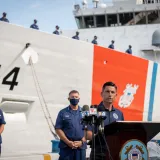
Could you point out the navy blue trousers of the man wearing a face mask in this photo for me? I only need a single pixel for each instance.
(72, 154)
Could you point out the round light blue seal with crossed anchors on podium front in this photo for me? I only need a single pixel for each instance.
(134, 150)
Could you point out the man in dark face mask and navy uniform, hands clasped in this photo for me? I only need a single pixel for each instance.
(70, 130)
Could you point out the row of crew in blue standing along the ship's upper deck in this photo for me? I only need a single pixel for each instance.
(76, 36)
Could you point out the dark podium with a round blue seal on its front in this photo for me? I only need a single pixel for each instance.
(122, 137)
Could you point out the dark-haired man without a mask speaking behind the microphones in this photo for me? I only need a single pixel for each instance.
(108, 94)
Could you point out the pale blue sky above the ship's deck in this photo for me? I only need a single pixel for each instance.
(49, 13)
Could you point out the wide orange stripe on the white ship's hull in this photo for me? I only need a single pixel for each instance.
(122, 69)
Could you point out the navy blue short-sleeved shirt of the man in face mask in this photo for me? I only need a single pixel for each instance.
(69, 121)
